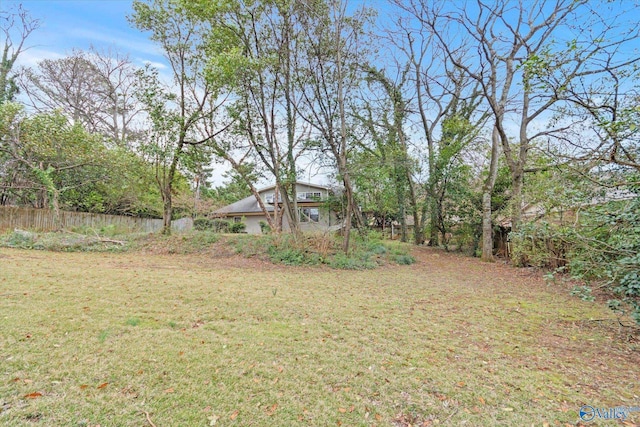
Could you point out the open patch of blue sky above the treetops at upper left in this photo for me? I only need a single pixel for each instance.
(69, 24)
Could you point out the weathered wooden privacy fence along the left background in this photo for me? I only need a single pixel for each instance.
(42, 219)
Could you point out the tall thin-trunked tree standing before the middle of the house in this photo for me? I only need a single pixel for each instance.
(264, 113)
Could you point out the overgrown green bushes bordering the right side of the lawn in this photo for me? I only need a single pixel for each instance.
(602, 248)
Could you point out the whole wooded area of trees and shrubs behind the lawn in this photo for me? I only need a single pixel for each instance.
(457, 115)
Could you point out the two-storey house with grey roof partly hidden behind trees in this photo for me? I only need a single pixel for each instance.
(312, 212)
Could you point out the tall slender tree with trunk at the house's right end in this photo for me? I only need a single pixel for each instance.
(329, 68)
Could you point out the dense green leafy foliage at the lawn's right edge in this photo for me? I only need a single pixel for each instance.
(596, 240)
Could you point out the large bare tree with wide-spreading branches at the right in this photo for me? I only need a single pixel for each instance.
(516, 44)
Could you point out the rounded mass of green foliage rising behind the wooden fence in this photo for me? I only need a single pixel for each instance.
(49, 162)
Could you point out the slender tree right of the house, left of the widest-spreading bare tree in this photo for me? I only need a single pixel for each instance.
(440, 95)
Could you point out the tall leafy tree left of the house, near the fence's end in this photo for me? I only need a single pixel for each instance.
(176, 110)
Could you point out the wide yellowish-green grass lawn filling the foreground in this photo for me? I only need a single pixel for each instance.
(140, 339)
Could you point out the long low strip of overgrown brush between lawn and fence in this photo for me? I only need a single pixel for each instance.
(367, 251)
